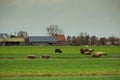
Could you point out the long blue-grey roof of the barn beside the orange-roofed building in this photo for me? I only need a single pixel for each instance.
(49, 39)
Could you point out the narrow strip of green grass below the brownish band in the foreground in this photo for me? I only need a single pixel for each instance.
(113, 77)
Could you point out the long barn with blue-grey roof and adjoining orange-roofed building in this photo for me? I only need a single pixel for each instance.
(47, 40)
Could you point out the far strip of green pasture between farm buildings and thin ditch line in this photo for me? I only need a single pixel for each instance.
(11, 52)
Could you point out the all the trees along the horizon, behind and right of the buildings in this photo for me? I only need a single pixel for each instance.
(82, 39)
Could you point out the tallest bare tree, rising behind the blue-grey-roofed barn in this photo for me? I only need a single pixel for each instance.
(54, 30)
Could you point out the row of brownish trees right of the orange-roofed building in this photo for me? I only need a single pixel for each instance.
(84, 39)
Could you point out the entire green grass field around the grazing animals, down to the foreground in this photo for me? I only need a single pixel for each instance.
(71, 64)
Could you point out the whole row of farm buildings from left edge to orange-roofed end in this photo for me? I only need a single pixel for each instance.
(5, 39)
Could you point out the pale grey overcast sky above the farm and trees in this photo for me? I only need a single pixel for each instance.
(96, 17)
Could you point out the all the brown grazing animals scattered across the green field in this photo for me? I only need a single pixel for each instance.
(83, 51)
